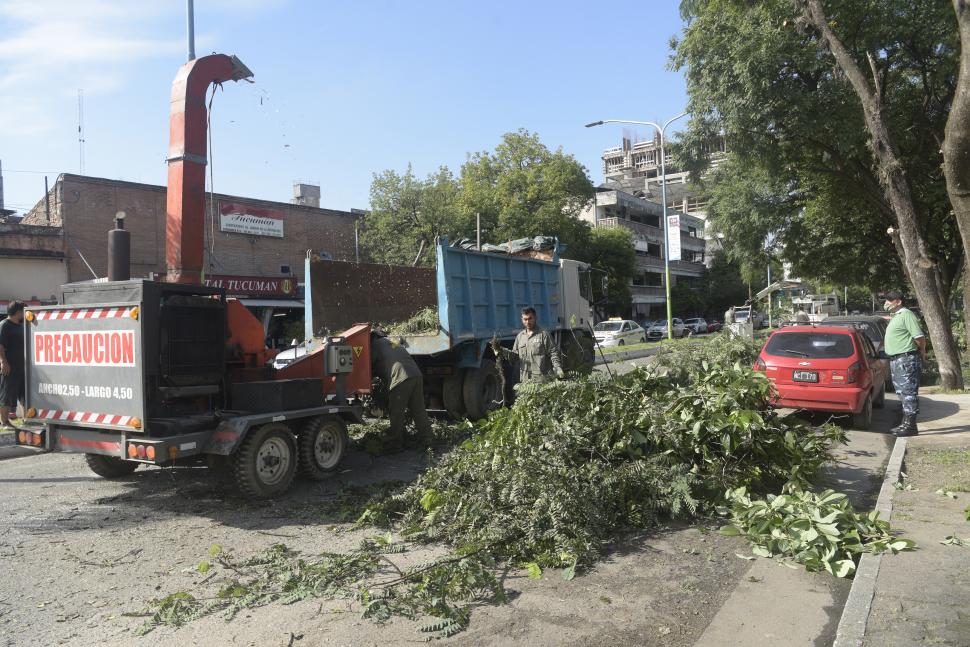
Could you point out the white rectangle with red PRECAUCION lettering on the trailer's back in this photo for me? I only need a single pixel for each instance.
(113, 348)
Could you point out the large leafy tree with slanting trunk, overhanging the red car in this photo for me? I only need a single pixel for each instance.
(845, 155)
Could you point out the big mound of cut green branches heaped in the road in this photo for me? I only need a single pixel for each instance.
(549, 481)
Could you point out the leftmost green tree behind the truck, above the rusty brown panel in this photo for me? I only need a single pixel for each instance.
(407, 214)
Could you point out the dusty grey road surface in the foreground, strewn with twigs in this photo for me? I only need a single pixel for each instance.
(78, 553)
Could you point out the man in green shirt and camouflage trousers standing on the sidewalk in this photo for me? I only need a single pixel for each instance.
(906, 347)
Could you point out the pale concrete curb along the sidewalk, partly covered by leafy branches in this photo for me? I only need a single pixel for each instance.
(855, 614)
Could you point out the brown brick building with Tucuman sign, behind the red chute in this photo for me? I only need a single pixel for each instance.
(85, 207)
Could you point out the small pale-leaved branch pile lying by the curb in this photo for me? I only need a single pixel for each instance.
(819, 531)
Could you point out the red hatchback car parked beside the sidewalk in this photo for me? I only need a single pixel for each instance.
(825, 368)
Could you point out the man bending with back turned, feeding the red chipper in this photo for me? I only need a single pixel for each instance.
(405, 387)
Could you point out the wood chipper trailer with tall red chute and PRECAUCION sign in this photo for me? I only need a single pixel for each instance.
(137, 371)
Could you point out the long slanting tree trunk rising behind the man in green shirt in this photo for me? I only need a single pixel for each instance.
(921, 269)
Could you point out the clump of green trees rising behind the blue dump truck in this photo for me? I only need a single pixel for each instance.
(520, 189)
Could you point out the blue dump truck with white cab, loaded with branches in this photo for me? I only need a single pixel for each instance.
(480, 296)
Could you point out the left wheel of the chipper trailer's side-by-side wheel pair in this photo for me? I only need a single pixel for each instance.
(265, 463)
